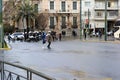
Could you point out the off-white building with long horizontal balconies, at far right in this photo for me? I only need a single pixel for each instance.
(113, 9)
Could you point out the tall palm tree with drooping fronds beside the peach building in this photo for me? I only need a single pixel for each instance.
(26, 13)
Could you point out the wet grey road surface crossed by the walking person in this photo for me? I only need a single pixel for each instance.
(68, 60)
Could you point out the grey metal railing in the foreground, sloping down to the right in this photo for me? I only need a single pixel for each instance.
(22, 73)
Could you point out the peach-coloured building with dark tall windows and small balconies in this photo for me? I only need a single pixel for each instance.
(63, 14)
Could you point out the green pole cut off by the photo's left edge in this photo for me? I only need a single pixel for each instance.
(1, 27)
